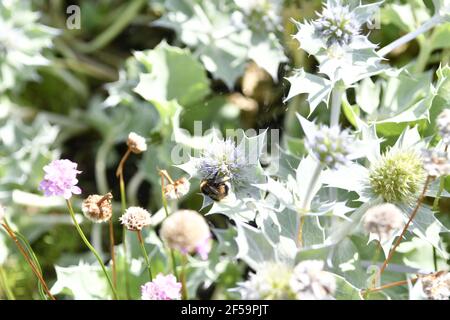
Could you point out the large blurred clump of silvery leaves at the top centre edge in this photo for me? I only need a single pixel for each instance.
(223, 45)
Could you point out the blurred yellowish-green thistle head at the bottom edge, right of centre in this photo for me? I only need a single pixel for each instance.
(270, 282)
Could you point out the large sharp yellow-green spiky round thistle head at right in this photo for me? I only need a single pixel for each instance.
(398, 176)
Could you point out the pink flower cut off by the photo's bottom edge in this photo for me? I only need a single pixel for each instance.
(162, 288)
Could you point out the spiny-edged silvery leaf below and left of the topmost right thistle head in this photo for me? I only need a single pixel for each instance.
(317, 88)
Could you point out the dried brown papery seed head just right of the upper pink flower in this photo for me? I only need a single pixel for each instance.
(98, 208)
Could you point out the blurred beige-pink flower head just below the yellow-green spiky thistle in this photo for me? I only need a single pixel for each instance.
(383, 220)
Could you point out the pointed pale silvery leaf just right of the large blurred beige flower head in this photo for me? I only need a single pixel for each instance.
(254, 247)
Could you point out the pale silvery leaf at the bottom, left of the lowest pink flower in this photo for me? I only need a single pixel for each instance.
(82, 282)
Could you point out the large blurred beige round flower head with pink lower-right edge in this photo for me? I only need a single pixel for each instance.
(187, 231)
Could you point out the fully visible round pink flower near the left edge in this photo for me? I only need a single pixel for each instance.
(60, 179)
